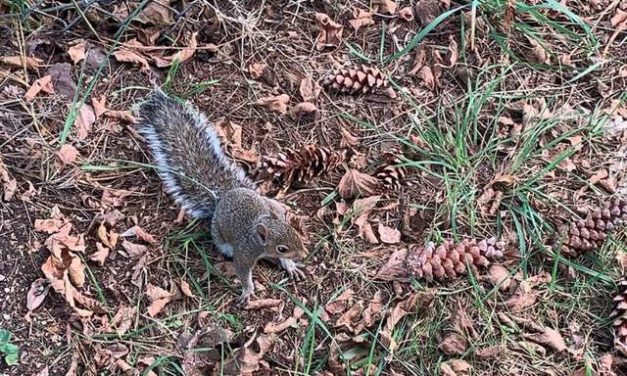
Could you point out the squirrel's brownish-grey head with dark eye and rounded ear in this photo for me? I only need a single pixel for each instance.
(279, 238)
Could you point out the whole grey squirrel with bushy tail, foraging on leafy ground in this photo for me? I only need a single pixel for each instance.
(245, 225)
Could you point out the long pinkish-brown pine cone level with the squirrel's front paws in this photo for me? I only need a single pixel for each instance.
(449, 259)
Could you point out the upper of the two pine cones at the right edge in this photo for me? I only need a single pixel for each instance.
(584, 235)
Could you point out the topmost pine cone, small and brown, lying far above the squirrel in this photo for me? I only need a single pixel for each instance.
(361, 79)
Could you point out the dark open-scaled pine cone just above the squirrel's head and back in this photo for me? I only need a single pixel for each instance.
(298, 166)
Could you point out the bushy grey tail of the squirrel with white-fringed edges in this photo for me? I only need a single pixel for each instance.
(187, 154)
